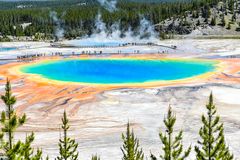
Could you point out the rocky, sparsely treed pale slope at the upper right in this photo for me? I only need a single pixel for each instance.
(216, 20)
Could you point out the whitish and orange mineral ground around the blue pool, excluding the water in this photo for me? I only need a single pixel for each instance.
(97, 121)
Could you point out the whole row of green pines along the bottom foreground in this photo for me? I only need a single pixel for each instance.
(210, 146)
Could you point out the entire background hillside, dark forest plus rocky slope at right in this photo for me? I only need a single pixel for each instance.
(42, 20)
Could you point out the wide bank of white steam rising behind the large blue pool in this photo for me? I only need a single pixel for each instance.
(145, 33)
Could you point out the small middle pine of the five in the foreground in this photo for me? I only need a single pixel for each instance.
(131, 149)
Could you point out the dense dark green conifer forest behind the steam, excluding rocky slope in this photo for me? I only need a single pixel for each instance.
(79, 20)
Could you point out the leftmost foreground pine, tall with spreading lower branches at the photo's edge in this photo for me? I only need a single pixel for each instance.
(10, 122)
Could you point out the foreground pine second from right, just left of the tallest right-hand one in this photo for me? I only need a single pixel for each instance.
(172, 146)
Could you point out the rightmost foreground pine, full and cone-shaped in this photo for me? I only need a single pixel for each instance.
(212, 145)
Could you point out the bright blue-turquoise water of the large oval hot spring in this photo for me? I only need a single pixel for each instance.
(106, 71)
